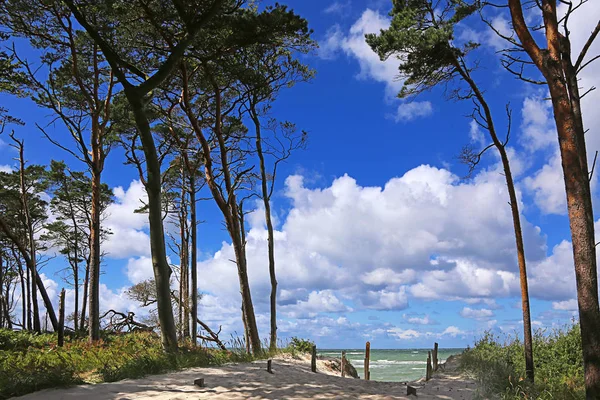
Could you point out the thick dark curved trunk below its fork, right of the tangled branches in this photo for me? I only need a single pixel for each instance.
(162, 270)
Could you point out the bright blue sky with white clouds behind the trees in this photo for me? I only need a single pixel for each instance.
(379, 235)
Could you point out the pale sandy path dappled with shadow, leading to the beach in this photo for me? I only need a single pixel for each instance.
(291, 379)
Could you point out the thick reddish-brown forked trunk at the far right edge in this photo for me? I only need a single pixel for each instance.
(555, 64)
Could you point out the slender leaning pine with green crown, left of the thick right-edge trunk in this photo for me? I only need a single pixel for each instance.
(421, 37)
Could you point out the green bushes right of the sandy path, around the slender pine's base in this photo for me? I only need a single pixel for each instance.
(500, 366)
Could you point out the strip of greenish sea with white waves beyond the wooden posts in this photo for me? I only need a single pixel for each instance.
(394, 365)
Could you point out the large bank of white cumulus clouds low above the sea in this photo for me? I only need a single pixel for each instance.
(424, 235)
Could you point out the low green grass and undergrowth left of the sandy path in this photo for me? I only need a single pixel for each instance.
(30, 362)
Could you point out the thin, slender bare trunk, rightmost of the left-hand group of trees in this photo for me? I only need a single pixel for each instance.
(270, 237)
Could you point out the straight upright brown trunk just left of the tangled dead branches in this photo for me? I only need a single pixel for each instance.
(94, 265)
